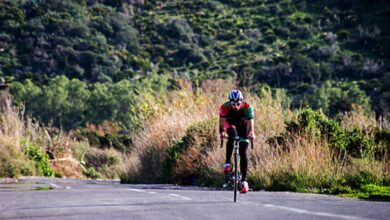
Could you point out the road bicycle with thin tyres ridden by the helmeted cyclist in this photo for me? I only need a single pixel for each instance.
(233, 178)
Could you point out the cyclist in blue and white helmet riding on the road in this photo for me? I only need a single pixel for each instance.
(236, 118)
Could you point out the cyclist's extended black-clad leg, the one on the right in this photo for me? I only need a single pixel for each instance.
(243, 133)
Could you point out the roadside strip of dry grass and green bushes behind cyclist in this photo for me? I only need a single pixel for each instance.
(301, 151)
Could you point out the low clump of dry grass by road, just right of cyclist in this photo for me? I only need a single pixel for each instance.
(305, 165)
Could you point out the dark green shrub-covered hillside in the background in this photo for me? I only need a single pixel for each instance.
(327, 55)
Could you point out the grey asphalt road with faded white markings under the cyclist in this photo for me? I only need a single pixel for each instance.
(44, 198)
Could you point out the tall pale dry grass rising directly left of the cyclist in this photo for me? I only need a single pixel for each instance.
(182, 108)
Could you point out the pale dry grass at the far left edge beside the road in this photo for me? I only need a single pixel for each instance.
(14, 129)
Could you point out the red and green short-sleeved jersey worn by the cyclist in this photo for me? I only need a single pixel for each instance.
(234, 117)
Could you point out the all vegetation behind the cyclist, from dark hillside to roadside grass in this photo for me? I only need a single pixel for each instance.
(131, 89)
